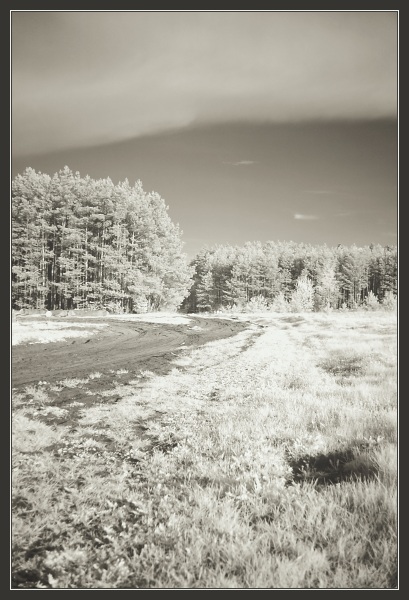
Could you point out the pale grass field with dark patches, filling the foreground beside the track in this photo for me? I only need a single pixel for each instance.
(263, 460)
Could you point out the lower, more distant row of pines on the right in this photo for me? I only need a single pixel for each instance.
(292, 276)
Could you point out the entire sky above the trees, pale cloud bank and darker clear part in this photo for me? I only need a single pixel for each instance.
(256, 125)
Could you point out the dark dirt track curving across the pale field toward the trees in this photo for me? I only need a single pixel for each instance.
(127, 345)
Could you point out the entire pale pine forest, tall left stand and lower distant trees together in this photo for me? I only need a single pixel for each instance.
(84, 243)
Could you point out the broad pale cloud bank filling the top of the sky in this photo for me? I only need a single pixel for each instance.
(87, 78)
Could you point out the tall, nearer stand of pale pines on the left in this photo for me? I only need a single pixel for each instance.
(84, 243)
